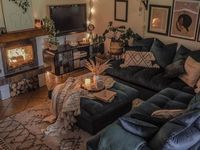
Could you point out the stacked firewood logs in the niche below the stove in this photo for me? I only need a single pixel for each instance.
(23, 86)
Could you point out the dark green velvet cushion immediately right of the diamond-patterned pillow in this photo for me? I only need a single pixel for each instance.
(164, 54)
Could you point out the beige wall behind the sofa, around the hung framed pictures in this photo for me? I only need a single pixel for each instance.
(136, 20)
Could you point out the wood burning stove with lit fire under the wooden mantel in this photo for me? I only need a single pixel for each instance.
(19, 56)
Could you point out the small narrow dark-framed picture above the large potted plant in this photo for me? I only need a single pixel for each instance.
(121, 10)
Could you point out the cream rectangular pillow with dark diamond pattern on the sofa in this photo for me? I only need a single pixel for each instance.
(142, 59)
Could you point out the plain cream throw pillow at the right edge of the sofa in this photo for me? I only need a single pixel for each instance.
(192, 68)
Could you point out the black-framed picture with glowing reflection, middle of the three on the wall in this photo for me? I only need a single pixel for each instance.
(159, 17)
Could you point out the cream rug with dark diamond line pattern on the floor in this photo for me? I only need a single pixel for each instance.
(24, 131)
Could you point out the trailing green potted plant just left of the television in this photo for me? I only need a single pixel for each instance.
(49, 26)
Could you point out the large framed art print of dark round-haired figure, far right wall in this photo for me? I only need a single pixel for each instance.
(185, 19)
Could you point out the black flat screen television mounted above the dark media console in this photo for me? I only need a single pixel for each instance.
(69, 18)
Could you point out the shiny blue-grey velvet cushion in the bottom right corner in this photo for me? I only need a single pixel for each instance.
(182, 132)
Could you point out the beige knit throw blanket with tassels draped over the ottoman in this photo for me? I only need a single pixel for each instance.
(66, 103)
